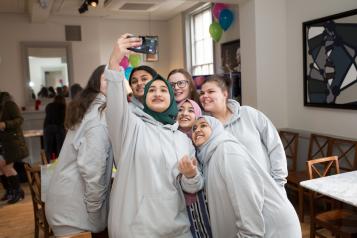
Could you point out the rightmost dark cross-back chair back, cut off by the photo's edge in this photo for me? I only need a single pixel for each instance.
(346, 150)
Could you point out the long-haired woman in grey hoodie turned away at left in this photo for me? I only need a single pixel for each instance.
(77, 197)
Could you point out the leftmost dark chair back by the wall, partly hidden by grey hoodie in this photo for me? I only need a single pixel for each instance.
(290, 142)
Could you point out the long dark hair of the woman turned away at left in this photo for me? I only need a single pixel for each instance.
(79, 106)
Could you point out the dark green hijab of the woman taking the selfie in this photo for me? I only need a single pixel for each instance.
(168, 116)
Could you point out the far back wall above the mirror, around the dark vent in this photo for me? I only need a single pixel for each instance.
(98, 37)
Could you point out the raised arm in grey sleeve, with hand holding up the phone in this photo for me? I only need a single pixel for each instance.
(121, 122)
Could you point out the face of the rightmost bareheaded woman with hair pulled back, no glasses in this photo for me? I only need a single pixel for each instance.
(213, 98)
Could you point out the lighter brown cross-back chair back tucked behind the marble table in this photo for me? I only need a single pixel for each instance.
(323, 166)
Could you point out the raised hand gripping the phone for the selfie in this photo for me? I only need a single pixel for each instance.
(121, 49)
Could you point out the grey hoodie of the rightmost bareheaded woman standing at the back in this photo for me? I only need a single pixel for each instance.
(258, 134)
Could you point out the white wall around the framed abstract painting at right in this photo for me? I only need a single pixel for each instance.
(330, 121)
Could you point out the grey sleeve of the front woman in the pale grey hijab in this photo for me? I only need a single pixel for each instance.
(246, 191)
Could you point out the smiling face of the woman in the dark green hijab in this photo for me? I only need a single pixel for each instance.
(158, 96)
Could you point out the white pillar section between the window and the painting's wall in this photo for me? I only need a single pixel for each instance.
(263, 44)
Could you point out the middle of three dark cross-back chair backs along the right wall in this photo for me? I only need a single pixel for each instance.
(319, 146)
